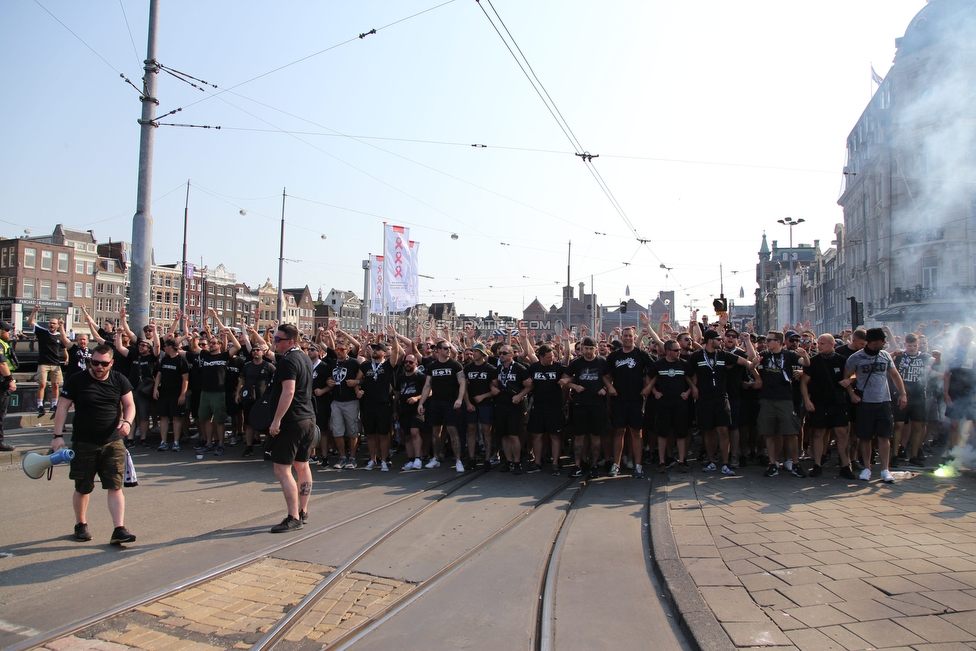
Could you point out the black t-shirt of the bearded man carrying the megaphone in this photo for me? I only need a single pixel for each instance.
(96, 403)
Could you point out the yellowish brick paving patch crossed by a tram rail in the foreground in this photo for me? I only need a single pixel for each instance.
(235, 610)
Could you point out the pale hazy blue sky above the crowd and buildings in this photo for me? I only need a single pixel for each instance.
(711, 121)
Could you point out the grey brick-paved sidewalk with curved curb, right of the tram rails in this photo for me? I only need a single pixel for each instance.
(816, 564)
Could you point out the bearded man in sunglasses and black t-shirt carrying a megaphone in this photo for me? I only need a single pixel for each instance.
(99, 395)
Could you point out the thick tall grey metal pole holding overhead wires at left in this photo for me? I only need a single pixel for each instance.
(140, 274)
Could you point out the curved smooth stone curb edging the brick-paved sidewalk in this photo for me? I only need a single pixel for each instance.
(694, 616)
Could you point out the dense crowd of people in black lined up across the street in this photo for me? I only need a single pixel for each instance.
(661, 396)
